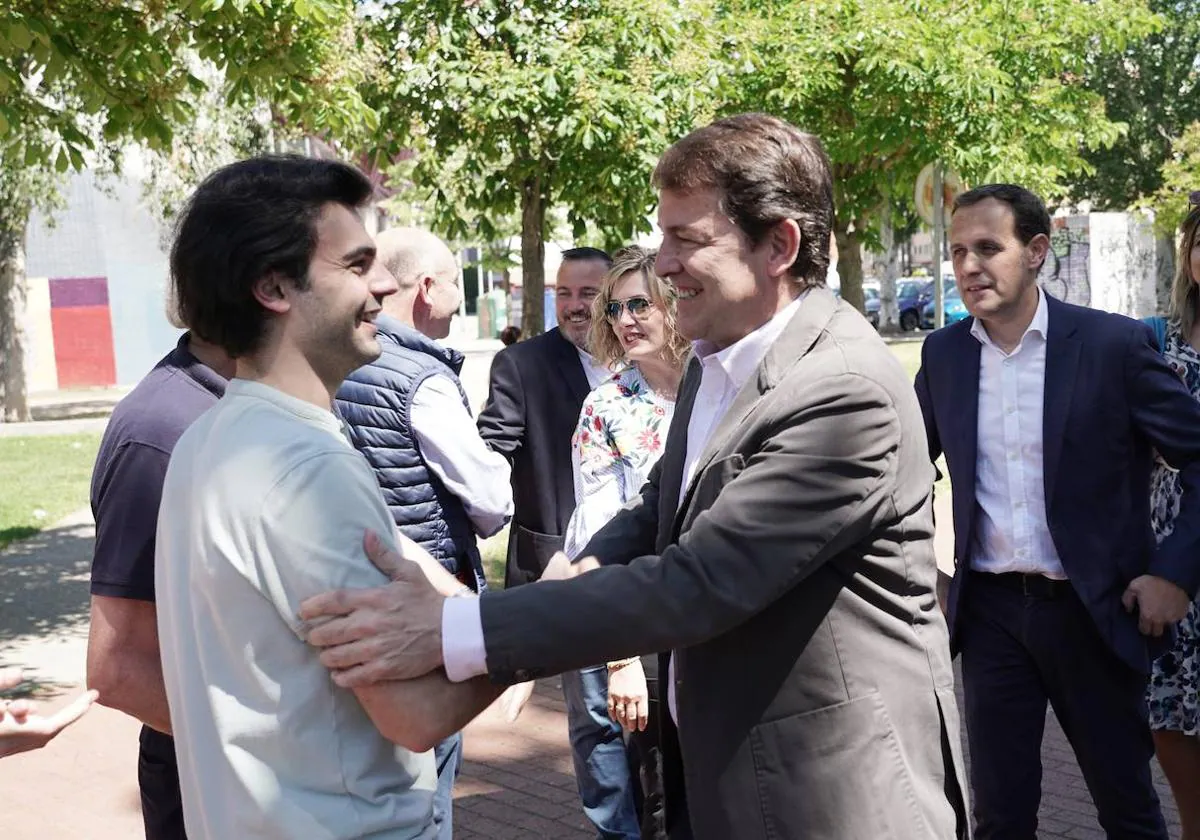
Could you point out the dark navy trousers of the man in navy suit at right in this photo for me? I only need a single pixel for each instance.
(1019, 653)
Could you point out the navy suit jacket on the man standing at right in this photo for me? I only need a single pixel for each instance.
(1109, 399)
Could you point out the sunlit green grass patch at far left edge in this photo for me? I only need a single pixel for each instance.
(43, 479)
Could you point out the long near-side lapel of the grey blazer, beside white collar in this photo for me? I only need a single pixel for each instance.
(794, 343)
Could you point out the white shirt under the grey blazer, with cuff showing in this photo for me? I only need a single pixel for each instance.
(723, 375)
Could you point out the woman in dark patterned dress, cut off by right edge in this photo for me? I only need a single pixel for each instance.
(1174, 693)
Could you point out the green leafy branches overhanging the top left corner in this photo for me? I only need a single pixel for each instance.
(81, 80)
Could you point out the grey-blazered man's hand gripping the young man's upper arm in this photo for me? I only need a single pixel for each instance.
(376, 635)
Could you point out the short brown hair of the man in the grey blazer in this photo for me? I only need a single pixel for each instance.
(766, 171)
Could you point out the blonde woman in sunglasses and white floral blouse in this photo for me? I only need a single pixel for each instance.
(622, 430)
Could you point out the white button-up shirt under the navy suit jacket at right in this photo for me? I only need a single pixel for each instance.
(1012, 532)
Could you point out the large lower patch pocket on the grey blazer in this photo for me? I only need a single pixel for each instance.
(836, 773)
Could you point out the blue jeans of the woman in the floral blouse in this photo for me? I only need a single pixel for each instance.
(602, 763)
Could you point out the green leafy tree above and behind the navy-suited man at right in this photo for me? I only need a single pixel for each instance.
(994, 89)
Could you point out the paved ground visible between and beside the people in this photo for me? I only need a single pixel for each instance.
(517, 783)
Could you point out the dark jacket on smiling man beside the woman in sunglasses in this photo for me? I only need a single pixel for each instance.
(535, 398)
